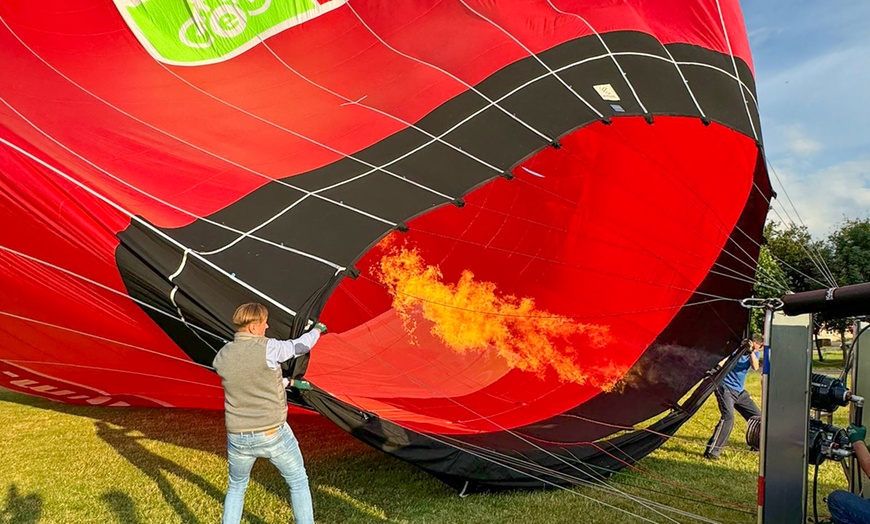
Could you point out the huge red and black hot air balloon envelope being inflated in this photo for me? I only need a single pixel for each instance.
(587, 172)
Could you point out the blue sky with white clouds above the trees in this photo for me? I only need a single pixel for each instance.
(812, 70)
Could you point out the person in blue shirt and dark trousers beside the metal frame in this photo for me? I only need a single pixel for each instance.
(731, 394)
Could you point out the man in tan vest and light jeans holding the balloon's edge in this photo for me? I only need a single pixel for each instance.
(255, 406)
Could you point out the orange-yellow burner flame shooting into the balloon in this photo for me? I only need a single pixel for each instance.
(472, 315)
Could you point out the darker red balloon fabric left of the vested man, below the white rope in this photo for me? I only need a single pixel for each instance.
(61, 326)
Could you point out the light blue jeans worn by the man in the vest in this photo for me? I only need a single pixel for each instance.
(282, 449)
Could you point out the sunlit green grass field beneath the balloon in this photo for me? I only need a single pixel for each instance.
(68, 464)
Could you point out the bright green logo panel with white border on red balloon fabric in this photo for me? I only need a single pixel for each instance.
(192, 32)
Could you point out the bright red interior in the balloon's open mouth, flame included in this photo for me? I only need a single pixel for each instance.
(542, 291)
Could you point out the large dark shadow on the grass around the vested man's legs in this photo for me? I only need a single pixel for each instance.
(349, 480)
